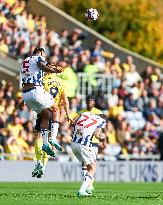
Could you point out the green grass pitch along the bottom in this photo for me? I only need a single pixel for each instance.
(65, 194)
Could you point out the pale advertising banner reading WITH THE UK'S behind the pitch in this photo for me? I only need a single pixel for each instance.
(119, 171)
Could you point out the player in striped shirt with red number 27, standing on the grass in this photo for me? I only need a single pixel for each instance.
(85, 126)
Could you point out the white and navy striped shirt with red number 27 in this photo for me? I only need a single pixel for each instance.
(85, 127)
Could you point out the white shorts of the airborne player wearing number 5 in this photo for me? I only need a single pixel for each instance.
(38, 99)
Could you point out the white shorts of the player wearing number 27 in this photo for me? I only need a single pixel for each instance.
(83, 153)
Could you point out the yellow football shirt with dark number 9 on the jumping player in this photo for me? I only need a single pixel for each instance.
(55, 86)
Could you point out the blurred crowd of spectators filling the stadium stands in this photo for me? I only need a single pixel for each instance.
(134, 108)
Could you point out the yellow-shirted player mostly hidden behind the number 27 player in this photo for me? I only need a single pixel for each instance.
(90, 102)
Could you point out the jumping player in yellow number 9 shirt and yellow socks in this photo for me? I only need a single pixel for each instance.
(55, 86)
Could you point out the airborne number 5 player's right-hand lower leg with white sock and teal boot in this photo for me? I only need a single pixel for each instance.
(54, 129)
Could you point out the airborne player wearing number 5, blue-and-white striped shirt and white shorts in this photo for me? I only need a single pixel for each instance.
(35, 96)
